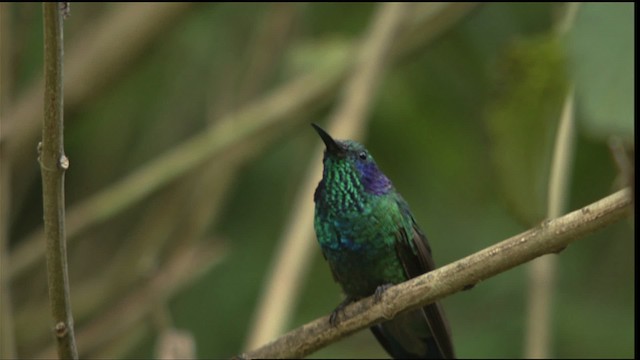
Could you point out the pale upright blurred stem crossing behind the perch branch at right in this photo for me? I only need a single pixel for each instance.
(542, 271)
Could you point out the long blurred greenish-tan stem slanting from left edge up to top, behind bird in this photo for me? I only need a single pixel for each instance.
(297, 95)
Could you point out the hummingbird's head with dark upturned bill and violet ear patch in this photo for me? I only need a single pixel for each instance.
(350, 166)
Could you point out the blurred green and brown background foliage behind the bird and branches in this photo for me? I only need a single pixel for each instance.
(463, 123)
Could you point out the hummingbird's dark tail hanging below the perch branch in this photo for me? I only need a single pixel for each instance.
(416, 334)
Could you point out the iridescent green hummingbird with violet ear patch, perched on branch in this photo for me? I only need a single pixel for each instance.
(371, 241)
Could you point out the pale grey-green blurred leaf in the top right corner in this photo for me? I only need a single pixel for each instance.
(601, 53)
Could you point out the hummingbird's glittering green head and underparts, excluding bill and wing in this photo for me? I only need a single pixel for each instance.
(358, 220)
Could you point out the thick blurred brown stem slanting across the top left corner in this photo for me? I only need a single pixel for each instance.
(95, 59)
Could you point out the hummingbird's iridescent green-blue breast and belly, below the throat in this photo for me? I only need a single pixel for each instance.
(359, 243)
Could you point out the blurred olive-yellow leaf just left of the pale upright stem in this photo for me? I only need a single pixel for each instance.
(521, 122)
